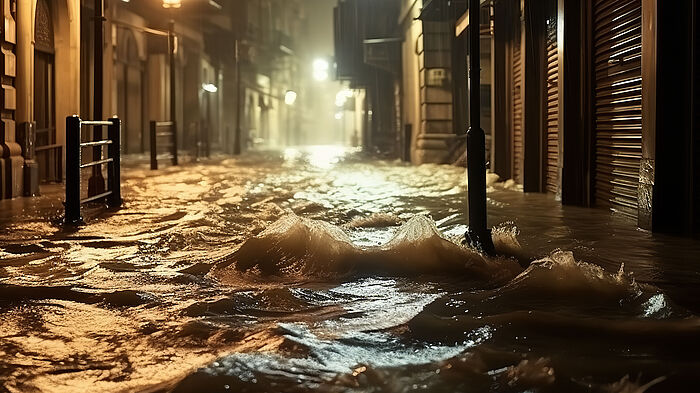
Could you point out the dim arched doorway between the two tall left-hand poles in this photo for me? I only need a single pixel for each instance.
(128, 71)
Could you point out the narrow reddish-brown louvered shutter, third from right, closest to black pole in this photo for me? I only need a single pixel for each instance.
(517, 125)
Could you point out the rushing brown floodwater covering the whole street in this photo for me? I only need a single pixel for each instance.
(318, 270)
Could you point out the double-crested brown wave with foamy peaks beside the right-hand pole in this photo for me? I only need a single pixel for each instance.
(302, 248)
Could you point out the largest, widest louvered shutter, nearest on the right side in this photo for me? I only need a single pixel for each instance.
(618, 103)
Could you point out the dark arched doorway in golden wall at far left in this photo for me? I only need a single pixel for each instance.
(48, 151)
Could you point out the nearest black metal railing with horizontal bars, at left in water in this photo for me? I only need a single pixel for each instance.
(74, 165)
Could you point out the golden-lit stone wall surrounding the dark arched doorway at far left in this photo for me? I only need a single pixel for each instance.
(18, 68)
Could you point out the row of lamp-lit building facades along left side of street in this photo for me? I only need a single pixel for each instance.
(136, 68)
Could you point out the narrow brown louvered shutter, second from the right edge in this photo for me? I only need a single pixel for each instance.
(551, 123)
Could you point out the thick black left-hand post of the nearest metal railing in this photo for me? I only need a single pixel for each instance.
(73, 162)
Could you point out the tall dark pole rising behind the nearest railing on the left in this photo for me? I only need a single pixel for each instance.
(96, 184)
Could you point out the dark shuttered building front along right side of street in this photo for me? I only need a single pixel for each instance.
(601, 110)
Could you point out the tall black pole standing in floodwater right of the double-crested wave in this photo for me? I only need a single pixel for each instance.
(478, 235)
